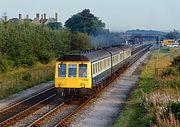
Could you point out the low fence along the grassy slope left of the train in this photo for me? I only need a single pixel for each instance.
(24, 80)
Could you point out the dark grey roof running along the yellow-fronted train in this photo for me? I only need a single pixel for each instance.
(93, 55)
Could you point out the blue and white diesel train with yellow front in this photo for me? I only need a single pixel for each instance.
(81, 72)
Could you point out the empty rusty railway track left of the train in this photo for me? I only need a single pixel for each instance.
(25, 107)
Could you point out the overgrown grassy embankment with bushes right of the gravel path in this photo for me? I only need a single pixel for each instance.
(156, 100)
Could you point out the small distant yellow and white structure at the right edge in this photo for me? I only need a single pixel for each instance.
(170, 43)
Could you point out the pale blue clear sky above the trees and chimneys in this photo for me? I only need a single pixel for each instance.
(118, 15)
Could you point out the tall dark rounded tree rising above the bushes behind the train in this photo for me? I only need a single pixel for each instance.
(85, 22)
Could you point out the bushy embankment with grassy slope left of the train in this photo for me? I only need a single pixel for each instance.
(28, 51)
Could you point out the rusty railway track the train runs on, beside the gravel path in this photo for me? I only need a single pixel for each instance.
(63, 113)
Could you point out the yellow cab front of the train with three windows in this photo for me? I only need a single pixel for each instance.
(72, 78)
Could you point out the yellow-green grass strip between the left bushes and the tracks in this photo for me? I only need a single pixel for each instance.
(23, 78)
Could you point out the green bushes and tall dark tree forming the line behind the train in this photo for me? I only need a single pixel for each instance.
(23, 44)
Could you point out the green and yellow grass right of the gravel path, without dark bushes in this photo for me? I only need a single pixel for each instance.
(152, 95)
